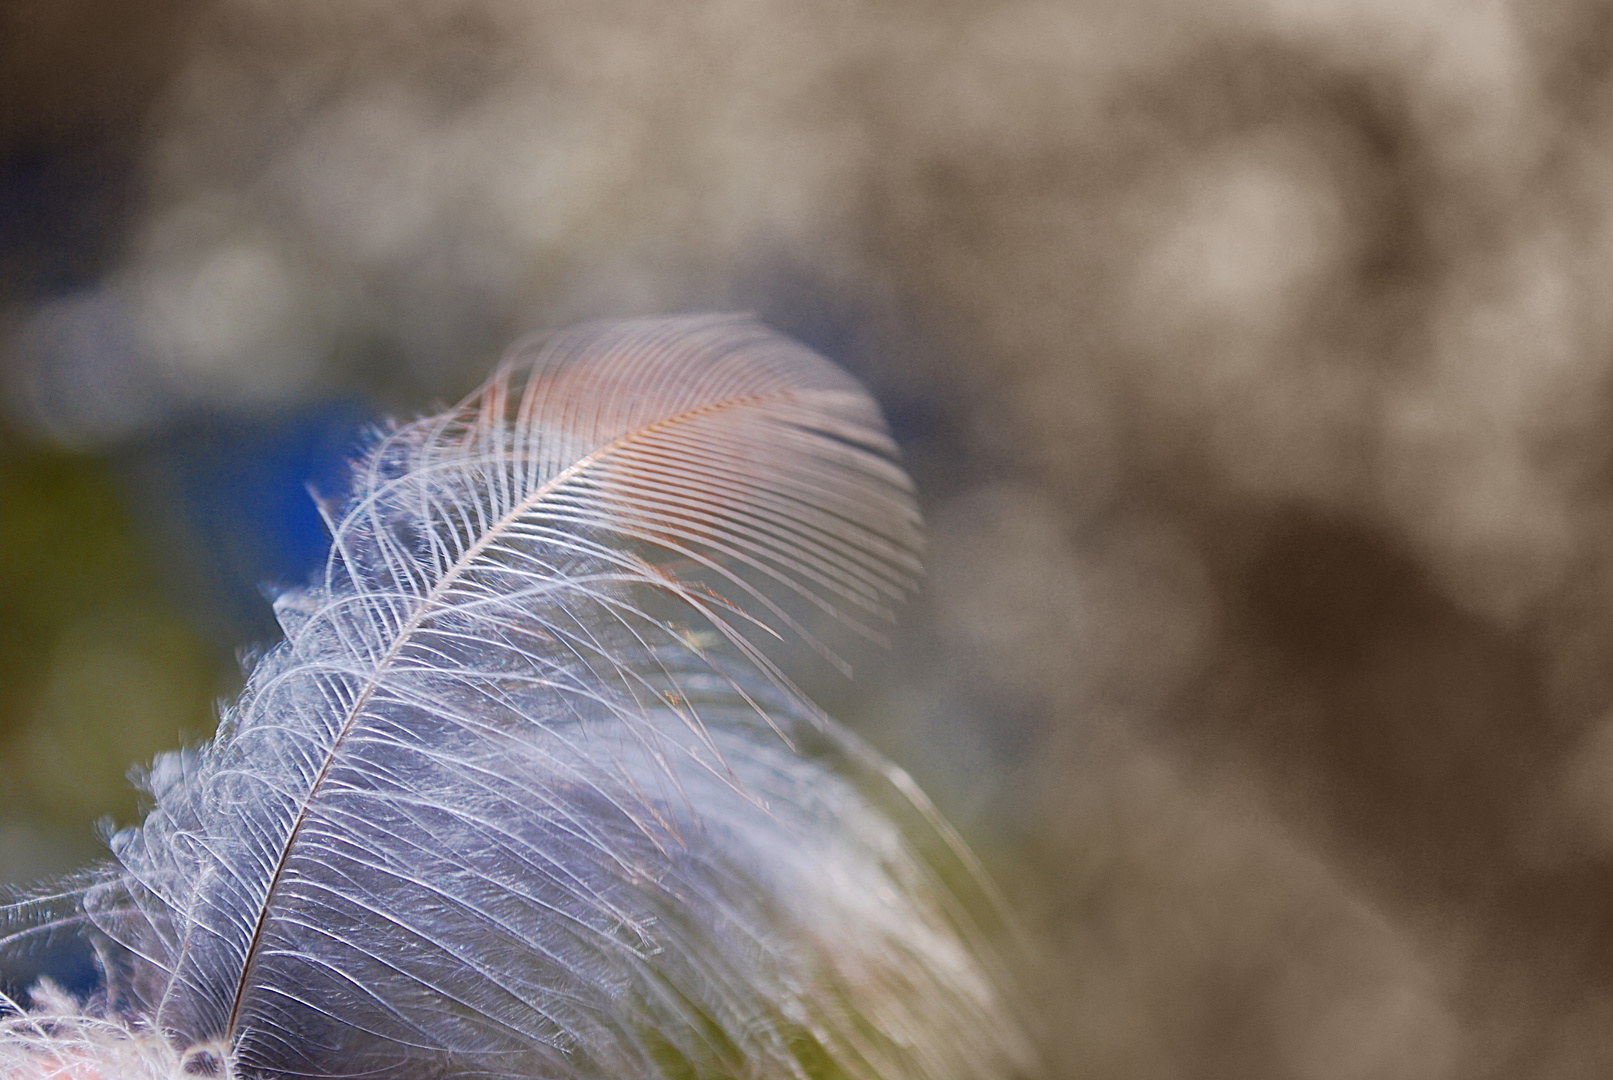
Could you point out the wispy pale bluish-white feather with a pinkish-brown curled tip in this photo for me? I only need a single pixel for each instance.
(528, 791)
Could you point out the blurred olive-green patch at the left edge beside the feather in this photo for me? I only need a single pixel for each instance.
(98, 670)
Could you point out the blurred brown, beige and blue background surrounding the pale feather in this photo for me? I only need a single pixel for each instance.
(1251, 355)
